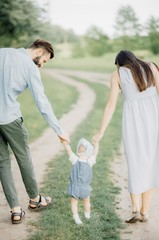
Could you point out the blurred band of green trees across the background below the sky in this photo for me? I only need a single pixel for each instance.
(22, 21)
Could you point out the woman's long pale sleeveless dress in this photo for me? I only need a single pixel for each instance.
(140, 130)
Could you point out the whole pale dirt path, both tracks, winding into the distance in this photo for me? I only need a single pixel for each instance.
(48, 145)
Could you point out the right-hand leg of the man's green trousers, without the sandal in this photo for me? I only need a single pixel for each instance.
(17, 137)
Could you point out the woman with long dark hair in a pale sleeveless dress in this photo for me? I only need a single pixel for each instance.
(139, 83)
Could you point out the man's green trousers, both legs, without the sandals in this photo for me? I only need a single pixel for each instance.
(15, 135)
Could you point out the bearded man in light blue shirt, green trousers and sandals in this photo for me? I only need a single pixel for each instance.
(18, 71)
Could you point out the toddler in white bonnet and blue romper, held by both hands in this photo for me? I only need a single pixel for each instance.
(81, 175)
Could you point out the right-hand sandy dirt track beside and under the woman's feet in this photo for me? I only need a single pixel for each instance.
(138, 231)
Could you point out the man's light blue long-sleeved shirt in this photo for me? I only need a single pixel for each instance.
(18, 72)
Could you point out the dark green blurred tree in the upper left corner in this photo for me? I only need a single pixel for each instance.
(19, 18)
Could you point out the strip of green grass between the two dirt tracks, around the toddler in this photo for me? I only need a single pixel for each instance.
(57, 223)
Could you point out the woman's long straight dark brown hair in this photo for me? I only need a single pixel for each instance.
(141, 70)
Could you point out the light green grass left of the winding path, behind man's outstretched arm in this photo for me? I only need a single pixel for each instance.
(61, 98)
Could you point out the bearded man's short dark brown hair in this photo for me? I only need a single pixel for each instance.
(40, 43)
